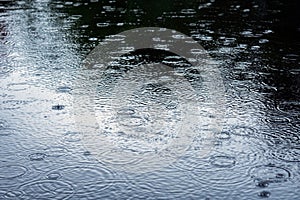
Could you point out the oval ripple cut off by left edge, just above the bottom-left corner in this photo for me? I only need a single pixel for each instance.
(12, 171)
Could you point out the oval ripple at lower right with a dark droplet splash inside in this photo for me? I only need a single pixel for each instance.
(270, 173)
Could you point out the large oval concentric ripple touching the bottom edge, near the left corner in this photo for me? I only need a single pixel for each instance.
(47, 189)
